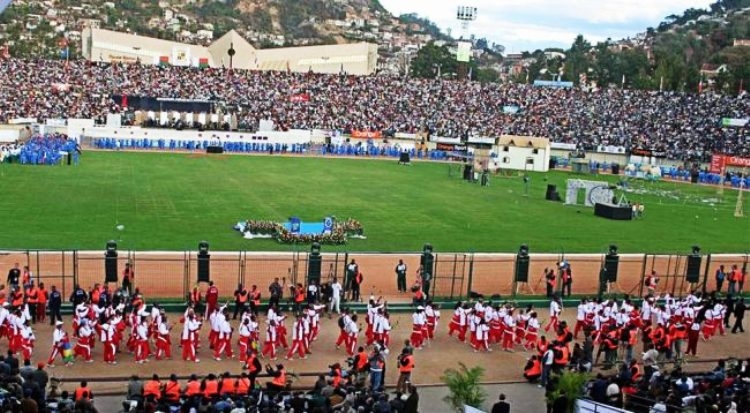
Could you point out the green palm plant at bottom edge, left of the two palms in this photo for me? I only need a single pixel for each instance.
(464, 386)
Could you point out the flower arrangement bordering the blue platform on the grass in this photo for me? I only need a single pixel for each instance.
(338, 236)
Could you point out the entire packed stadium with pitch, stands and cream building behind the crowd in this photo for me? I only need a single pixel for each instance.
(128, 178)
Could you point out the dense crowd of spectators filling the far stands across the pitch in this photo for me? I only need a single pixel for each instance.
(681, 125)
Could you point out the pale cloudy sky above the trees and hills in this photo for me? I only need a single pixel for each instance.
(537, 24)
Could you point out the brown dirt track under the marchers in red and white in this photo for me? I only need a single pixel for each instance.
(440, 354)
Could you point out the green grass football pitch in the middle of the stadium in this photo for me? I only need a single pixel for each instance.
(172, 201)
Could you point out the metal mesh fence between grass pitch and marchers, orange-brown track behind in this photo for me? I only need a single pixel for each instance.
(456, 275)
